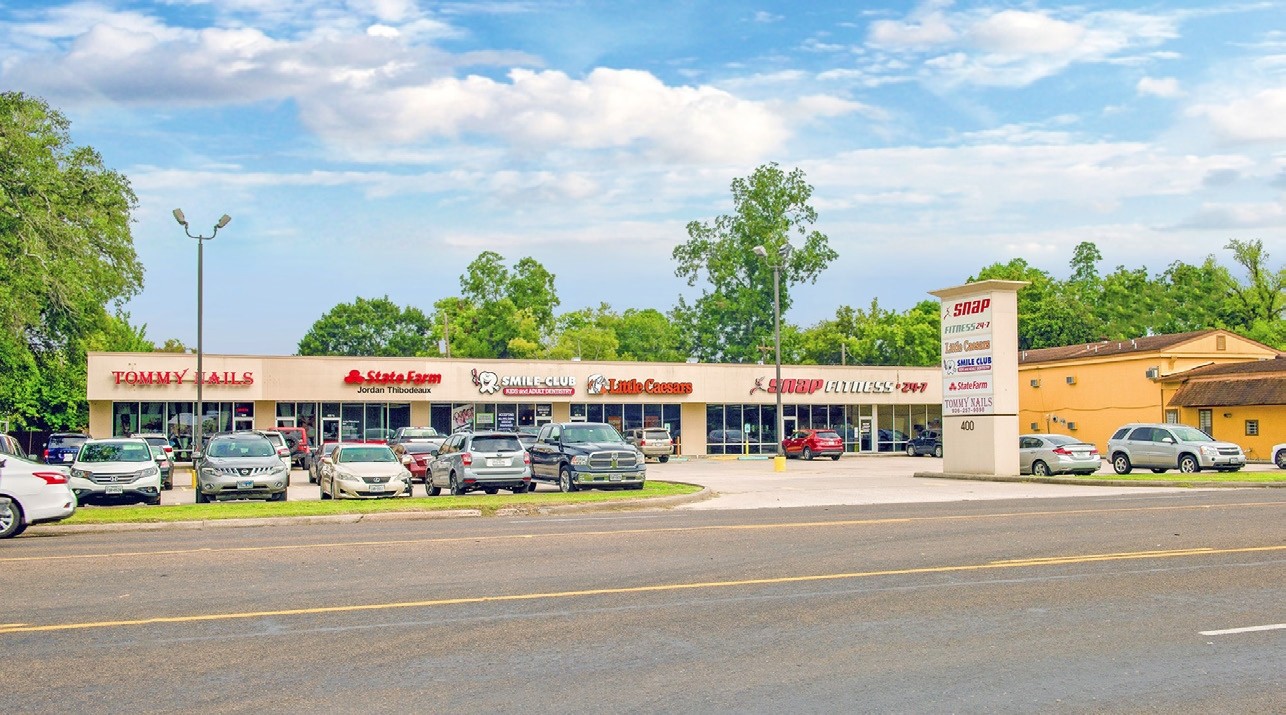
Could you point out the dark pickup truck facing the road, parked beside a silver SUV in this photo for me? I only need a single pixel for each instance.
(586, 456)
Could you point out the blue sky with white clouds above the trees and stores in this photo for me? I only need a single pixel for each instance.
(376, 147)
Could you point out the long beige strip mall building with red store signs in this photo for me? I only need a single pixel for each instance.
(709, 408)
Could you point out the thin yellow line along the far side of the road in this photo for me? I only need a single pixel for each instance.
(478, 538)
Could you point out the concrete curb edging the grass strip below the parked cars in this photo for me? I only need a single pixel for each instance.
(617, 506)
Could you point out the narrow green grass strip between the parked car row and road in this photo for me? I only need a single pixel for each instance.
(489, 505)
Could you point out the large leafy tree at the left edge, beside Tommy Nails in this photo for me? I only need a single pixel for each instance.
(66, 255)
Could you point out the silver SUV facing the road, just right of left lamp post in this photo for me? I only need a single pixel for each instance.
(241, 466)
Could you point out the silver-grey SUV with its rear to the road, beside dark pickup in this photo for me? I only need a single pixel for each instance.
(480, 461)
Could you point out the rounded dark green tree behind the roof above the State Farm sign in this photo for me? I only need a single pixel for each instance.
(374, 327)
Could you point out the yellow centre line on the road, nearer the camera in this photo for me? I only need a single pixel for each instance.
(658, 588)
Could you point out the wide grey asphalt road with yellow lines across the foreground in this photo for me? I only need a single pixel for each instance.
(1108, 604)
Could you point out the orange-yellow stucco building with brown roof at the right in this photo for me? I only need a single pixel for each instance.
(1213, 380)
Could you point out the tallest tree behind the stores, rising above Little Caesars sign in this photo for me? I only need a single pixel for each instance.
(735, 314)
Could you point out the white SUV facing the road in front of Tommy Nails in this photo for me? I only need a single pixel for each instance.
(116, 470)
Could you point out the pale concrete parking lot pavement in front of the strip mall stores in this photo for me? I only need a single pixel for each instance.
(749, 484)
